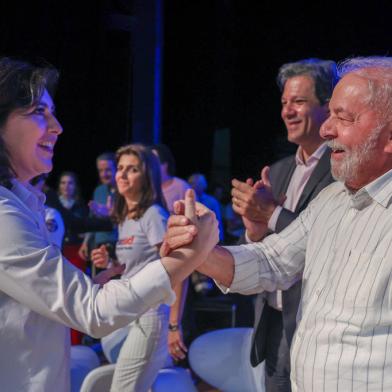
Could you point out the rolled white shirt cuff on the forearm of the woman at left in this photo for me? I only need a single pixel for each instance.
(152, 285)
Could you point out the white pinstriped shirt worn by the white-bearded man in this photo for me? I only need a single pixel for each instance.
(342, 243)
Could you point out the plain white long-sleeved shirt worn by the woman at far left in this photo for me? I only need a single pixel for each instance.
(42, 294)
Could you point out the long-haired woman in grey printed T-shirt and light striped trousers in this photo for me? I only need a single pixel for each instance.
(140, 212)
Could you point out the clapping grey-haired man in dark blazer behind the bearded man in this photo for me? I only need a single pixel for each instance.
(273, 202)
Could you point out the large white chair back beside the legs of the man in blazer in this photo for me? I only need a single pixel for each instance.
(222, 359)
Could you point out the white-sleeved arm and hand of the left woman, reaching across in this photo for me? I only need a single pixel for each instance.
(35, 274)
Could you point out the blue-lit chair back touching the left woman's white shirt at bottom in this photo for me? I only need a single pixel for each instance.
(83, 360)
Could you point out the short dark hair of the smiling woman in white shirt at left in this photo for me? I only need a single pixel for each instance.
(21, 86)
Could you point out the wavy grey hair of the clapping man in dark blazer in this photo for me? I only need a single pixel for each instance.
(323, 73)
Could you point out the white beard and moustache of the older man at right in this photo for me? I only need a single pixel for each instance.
(348, 169)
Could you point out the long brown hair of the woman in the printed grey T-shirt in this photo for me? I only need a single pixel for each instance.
(151, 192)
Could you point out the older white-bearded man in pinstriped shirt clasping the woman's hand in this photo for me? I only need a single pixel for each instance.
(341, 244)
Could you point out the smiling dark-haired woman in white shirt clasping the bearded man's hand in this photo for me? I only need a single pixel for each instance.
(41, 293)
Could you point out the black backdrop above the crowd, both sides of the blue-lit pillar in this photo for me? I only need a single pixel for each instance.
(220, 63)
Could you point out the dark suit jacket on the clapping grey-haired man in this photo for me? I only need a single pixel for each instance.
(280, 176)
